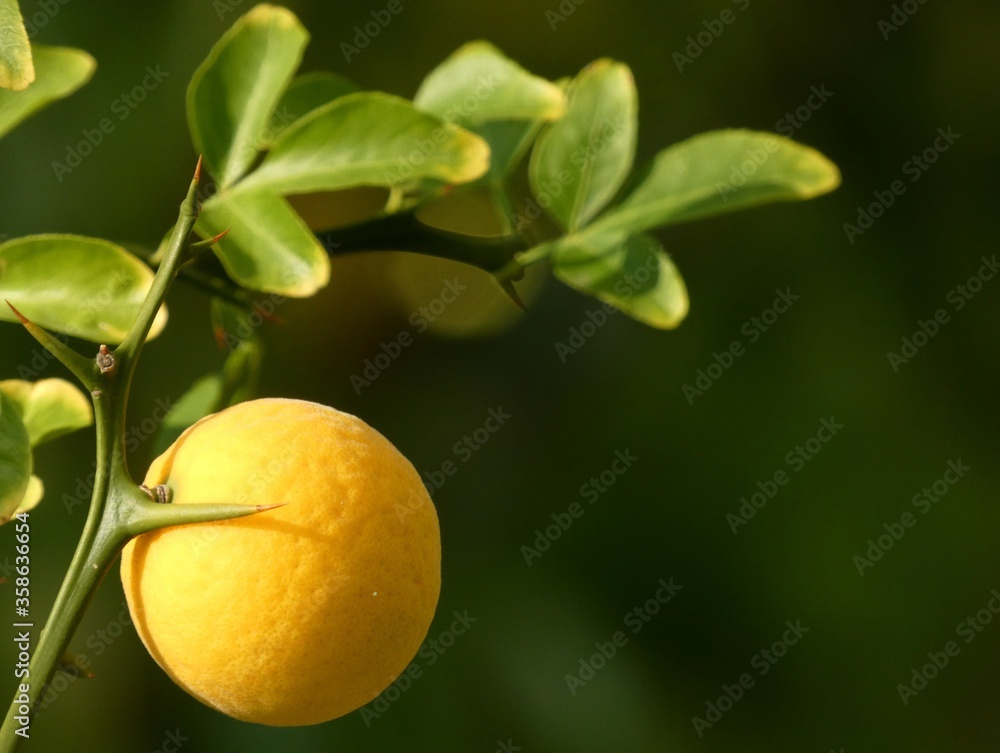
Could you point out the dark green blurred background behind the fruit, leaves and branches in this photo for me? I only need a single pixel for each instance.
(503, 681)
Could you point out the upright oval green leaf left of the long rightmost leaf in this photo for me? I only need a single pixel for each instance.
(581, 161)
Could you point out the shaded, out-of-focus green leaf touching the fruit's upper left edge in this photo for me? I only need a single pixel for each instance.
(211, 394)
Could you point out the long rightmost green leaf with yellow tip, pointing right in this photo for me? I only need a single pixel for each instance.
(718, 172)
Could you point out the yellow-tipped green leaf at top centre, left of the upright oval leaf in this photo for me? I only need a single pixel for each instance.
(478, 83)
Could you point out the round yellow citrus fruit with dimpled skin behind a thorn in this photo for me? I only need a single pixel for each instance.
(295, 615)
